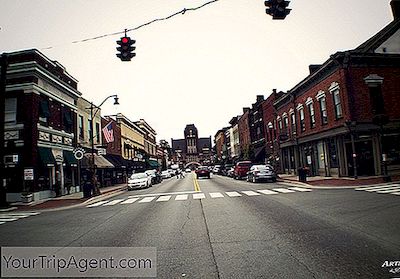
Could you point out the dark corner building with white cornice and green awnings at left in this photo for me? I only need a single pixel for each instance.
(40, 121)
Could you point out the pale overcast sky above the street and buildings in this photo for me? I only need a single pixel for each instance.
(199, 68)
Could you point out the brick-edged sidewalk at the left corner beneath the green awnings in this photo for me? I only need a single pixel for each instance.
(67, 201)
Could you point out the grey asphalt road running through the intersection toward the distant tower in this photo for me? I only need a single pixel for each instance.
(228, 233)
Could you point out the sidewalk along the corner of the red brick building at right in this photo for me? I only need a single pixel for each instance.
(335, 182)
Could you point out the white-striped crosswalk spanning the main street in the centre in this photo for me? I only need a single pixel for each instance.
(181, 196)
